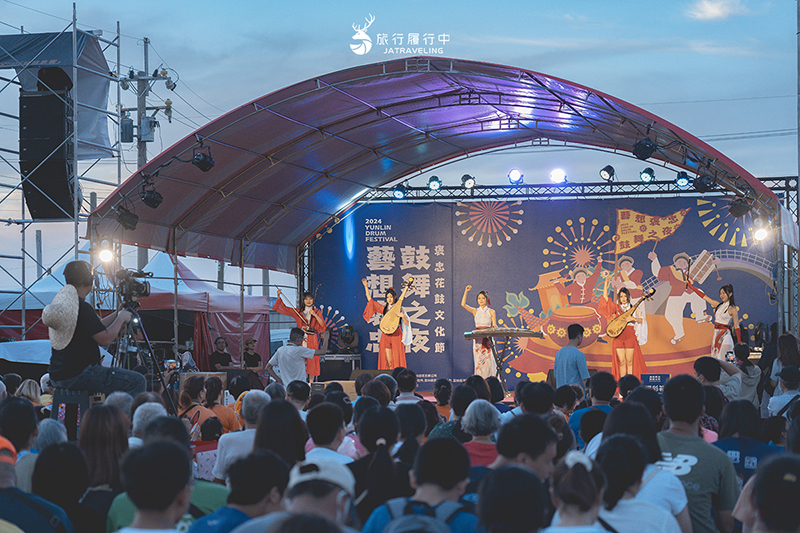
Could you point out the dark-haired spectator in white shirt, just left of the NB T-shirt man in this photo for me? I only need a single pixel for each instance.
(623, 460)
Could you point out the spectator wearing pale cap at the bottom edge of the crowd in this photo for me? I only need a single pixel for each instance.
(321, 488)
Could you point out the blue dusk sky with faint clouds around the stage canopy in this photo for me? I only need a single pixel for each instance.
(723, 70)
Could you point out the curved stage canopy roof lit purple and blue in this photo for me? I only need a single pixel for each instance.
(287, 163)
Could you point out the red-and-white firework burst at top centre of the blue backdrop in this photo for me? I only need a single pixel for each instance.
(492, 220)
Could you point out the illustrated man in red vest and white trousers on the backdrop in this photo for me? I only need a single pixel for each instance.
(680, 293)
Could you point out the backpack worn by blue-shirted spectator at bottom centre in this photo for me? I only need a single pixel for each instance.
(405, 516)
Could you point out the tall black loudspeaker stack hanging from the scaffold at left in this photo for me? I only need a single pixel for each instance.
(46, 153)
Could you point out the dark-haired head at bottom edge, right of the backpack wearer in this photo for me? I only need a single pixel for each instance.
(512, 500)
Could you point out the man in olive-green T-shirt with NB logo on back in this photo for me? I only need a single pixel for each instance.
(710, 480)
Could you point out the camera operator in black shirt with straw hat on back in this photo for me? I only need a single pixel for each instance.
(76, 334)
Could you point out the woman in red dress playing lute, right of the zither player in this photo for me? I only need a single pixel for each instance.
(626, 355)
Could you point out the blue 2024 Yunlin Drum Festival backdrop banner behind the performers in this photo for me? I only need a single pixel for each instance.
(545, 265)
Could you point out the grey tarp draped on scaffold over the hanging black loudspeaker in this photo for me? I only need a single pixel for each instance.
(27, 53)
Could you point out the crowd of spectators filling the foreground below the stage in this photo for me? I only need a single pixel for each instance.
(718, 451)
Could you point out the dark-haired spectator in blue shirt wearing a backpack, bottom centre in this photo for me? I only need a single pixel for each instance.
(440, 475)
